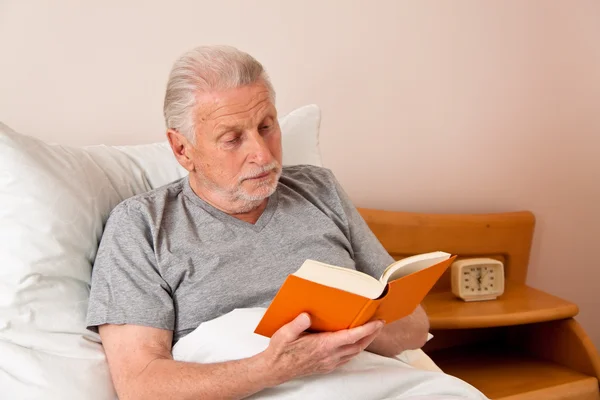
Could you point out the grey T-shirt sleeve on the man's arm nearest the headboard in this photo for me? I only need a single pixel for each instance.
(369, 254)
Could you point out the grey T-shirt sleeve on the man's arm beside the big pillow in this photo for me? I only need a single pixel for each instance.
(126, 286)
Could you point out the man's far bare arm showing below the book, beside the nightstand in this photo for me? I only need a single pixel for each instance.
(408, 333)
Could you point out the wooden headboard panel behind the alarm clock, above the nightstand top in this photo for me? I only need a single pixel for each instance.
(503, 236)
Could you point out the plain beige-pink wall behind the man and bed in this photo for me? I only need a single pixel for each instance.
(446, 106)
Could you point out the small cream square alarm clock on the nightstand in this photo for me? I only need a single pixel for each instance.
(477, 279)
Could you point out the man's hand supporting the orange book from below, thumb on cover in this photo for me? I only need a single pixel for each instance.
(292, 353)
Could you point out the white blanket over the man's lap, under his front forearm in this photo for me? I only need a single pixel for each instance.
(367, 376)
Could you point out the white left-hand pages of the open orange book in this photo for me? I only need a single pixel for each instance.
(341, 278)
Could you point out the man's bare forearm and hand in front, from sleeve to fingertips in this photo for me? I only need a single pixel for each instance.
(142, 366)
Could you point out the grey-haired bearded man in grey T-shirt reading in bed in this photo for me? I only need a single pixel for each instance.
(226, 237)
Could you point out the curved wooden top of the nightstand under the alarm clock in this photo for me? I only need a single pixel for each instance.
(519, 304)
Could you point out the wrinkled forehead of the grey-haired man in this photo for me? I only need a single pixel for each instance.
(242, 105)
